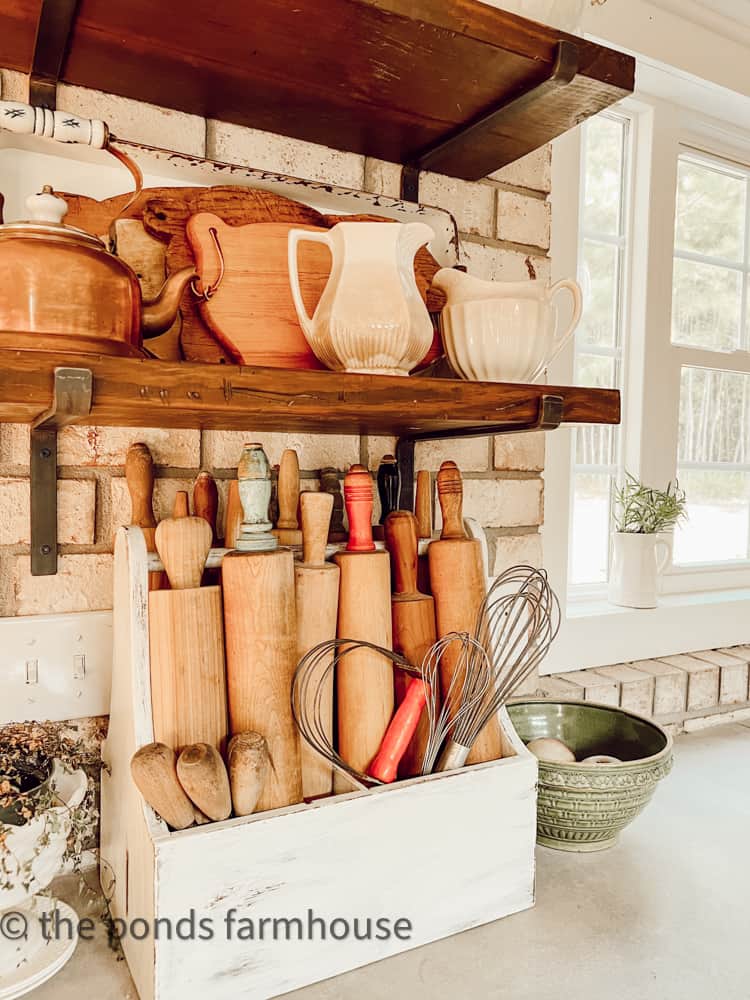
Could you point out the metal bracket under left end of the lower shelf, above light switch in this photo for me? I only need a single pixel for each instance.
(71, 399)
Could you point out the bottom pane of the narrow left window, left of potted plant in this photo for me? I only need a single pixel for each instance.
(590, 536)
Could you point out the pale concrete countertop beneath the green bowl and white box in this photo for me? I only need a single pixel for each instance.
(662, 916)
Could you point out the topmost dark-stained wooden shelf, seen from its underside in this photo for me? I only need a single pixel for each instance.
(392, 79)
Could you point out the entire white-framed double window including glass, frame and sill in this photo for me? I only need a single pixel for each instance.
(651, 208)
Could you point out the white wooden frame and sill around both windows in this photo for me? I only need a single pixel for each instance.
(700, 608)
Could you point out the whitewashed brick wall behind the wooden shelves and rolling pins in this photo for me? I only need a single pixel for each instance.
(503, 221)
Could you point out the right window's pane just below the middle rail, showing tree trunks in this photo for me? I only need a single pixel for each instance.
(714, 416)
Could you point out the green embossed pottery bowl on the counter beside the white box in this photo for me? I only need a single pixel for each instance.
(583, 807)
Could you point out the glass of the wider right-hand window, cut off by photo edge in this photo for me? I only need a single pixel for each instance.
(711, 313)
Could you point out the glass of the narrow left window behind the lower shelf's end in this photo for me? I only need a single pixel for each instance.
(602, 274)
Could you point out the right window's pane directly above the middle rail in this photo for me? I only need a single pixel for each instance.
(706, 303)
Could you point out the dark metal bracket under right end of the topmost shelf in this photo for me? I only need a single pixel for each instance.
(439, 156)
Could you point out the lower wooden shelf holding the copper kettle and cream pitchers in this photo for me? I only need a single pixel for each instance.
(147, 393)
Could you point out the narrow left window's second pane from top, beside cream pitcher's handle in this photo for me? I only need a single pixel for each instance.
(599, 280)
